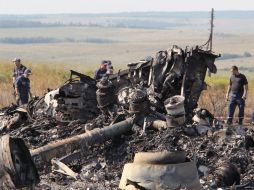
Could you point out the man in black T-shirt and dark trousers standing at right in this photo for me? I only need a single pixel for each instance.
(236, 95)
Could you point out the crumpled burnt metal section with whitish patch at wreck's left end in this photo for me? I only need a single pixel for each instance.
(74, 100)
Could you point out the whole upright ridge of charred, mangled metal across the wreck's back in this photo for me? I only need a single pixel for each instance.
(172, 72)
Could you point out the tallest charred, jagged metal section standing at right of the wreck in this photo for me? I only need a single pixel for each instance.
(172, 72)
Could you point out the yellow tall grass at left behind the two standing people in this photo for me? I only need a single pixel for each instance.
(43, 76)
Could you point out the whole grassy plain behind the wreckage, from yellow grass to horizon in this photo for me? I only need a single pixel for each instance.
(81, 46)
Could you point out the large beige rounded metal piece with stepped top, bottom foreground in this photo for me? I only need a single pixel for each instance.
(156, 172)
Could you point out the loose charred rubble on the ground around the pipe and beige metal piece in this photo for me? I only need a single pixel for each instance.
(100, 166)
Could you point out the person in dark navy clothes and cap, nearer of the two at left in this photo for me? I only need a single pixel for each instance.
(22, 88)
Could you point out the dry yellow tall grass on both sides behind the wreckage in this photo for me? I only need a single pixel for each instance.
(51, 75)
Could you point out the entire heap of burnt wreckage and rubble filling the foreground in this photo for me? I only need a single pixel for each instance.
(142, 121)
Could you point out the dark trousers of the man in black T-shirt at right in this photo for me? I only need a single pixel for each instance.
(236, 100)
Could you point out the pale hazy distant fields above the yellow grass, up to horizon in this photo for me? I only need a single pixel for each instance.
(84, 40)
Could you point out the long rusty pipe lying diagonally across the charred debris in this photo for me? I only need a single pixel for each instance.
(66, 146)
